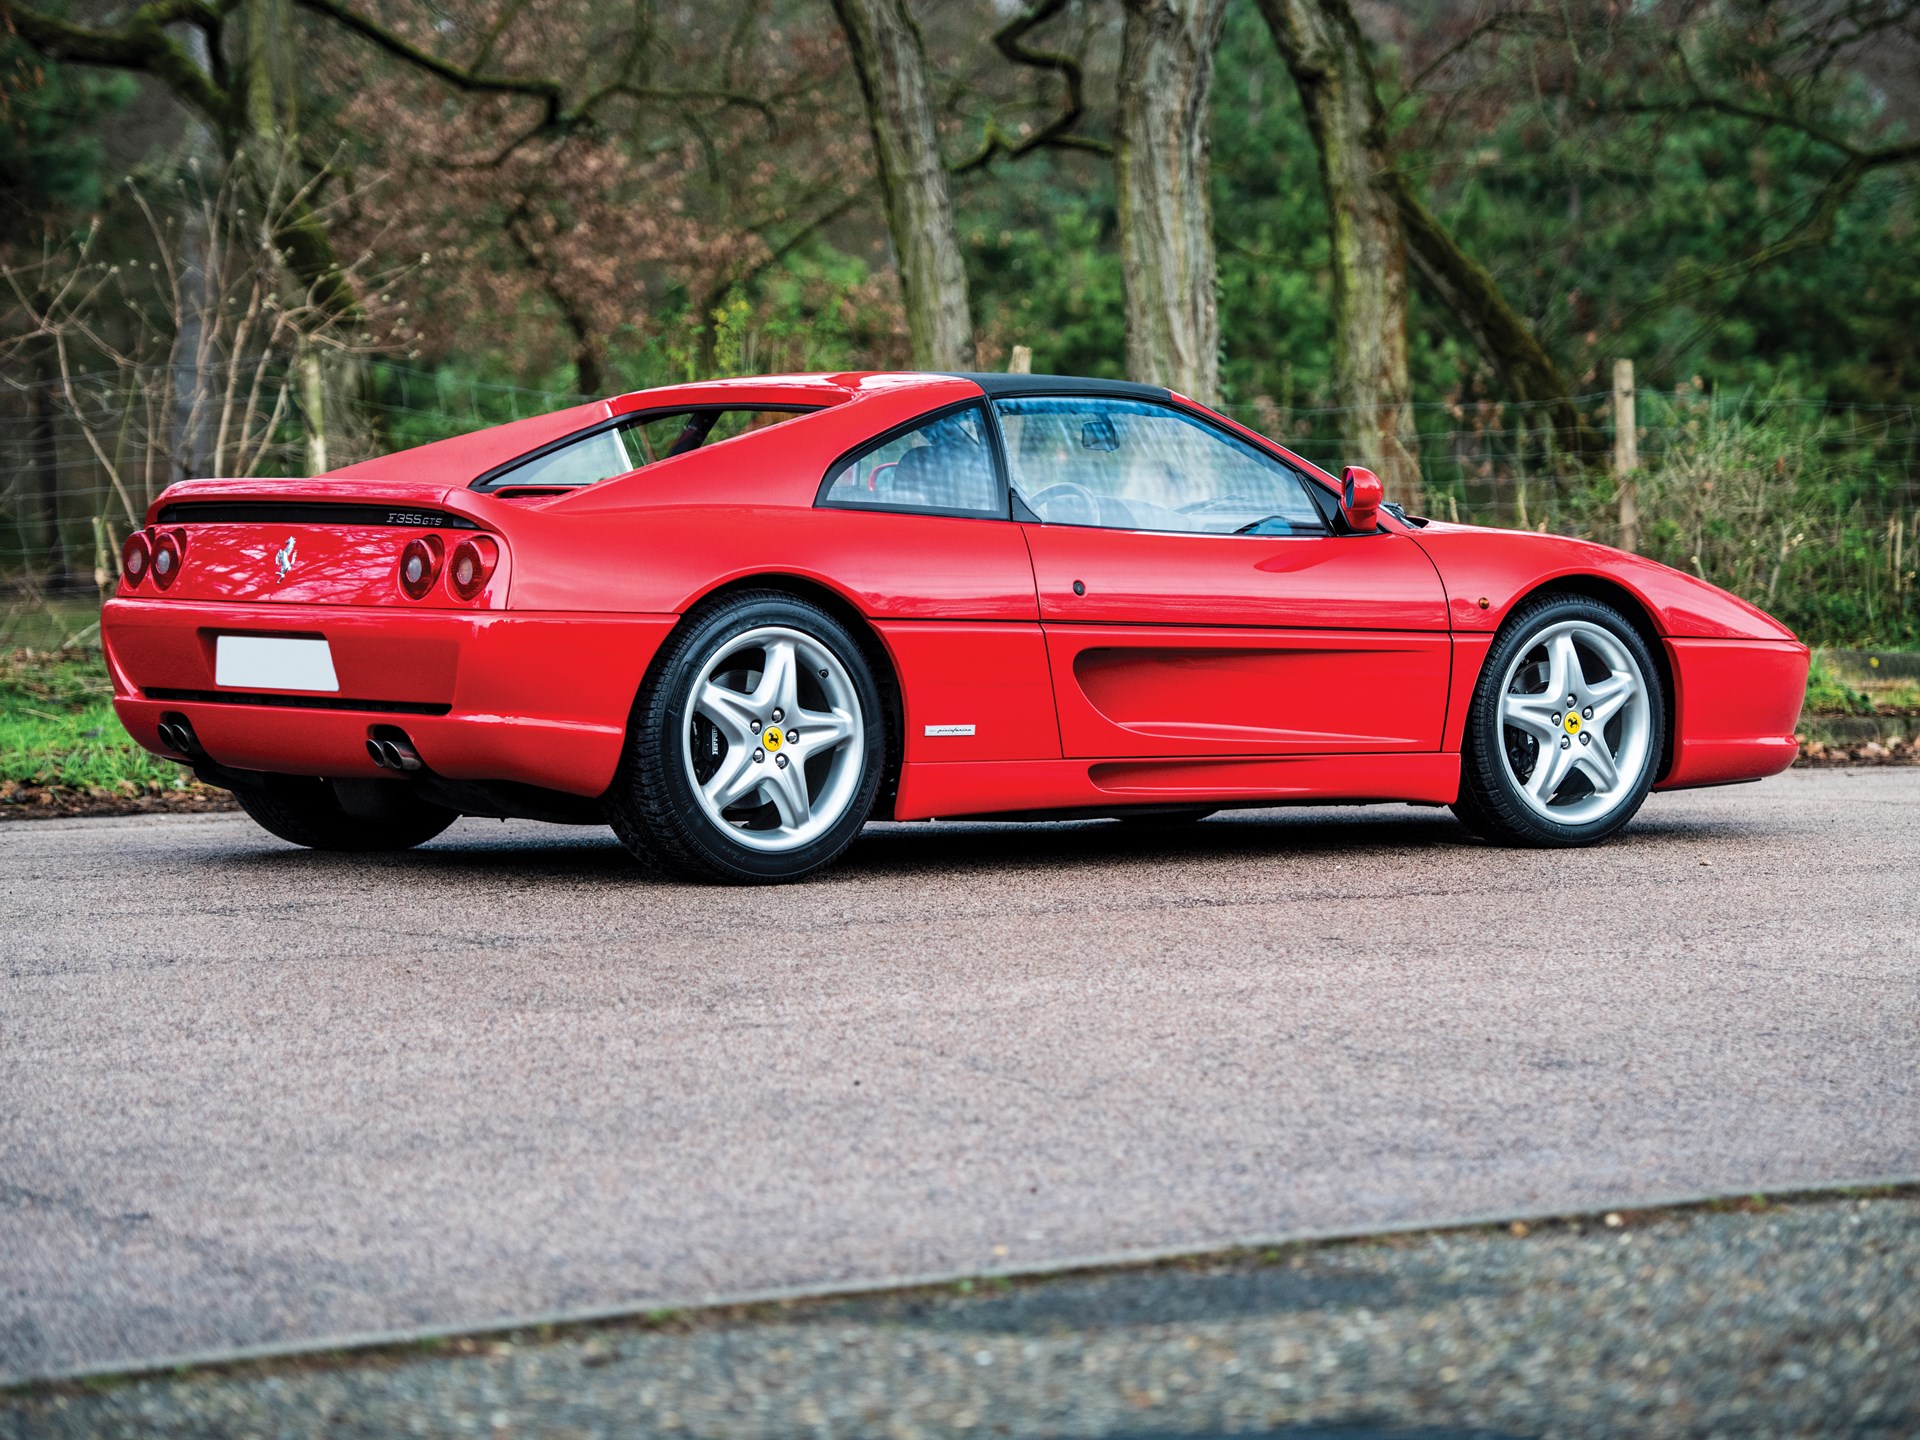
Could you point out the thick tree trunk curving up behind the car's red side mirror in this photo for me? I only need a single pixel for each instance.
(1324, 49)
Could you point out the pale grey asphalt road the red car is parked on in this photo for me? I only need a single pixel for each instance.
(252, 1095)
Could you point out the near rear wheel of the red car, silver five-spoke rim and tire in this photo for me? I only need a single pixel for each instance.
(757, 746)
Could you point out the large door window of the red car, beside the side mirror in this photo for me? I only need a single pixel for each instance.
(1136, 466)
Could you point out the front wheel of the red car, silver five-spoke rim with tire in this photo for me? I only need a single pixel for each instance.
(1566, 731)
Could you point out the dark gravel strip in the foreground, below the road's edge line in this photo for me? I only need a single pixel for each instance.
(1798, 1320)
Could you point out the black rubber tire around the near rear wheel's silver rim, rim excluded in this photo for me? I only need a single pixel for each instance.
(652, 804)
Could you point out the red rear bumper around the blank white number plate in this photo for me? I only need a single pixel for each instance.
(533, 698)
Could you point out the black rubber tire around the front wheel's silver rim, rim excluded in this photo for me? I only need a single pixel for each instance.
(1491, 802)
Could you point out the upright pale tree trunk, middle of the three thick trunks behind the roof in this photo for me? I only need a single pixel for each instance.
(1166, 214)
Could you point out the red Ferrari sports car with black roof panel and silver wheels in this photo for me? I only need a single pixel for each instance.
(736, 621)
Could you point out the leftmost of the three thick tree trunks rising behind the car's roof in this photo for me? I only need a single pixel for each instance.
(892, 64)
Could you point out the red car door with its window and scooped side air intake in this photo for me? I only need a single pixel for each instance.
(1197, 604)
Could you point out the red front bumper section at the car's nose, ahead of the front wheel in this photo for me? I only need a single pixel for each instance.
(1737, 706)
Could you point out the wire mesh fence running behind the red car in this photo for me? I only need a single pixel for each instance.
(1810, 510)
